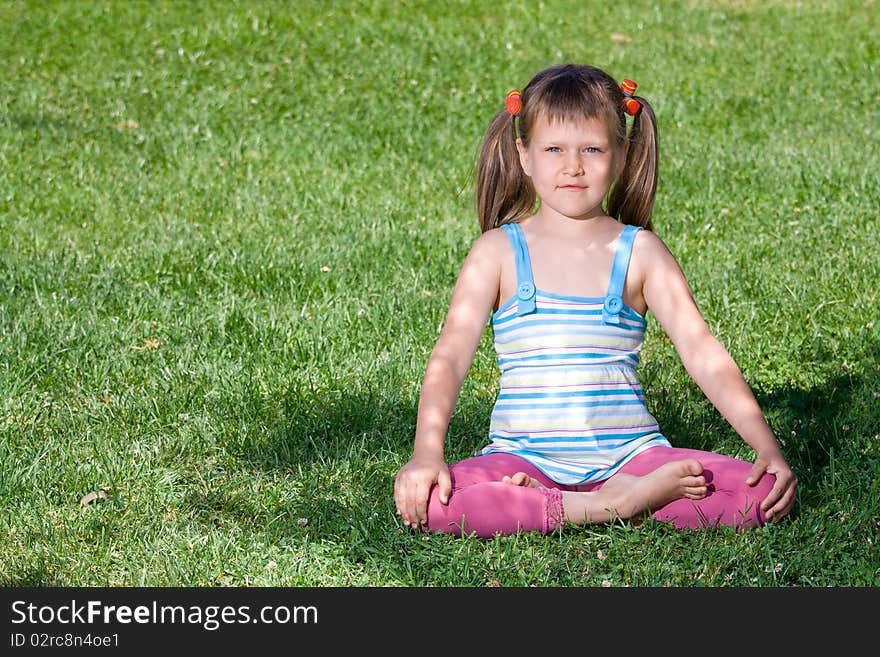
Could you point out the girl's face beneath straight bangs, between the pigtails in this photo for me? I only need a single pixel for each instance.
(572, 165)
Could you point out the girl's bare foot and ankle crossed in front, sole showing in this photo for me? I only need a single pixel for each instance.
(624, 495)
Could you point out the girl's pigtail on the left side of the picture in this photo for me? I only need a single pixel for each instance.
(503, 191)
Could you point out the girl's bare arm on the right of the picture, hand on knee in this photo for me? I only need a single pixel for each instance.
(668, 296)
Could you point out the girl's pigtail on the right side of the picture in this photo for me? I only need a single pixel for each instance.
(632, 199)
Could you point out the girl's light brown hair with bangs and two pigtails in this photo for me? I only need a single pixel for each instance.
(504, 193)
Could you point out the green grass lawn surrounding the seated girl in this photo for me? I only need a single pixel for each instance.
(229, 232)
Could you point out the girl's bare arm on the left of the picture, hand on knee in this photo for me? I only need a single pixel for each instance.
(473, 298)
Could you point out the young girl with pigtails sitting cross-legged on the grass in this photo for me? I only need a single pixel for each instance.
(568, 285)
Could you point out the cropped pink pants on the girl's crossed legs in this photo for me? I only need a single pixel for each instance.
(482, 504)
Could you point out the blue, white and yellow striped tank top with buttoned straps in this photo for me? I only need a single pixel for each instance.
(570, 402)
